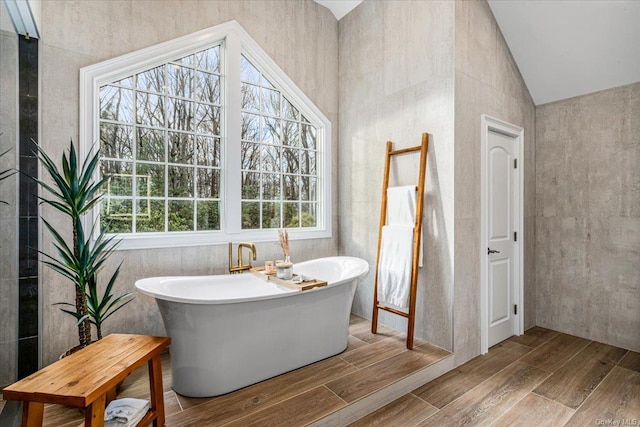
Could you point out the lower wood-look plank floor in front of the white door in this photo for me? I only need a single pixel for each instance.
(542, 378)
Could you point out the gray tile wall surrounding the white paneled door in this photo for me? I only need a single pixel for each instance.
(487, 81)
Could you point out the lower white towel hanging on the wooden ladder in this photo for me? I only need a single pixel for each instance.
(394, 271)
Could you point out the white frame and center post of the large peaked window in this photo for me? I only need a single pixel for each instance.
(235, 42)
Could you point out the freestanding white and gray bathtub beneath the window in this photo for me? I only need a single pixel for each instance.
(230, 331)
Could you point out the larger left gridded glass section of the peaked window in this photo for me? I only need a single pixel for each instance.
(160, 144)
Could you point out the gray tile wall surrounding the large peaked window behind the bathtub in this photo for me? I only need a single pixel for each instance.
(300, 36)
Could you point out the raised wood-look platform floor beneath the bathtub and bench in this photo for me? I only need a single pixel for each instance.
(370, 363)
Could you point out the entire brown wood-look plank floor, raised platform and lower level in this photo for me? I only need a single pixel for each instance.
(542, 378)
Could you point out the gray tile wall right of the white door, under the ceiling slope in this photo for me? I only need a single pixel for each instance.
(588, 216)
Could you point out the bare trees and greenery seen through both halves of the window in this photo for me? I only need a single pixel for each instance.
(161, 144)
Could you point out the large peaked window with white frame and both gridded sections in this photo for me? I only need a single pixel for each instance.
(206, 140)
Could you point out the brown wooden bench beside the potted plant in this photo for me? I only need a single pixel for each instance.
(88, 378)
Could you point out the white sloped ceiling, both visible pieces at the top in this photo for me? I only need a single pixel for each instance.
(563, 48)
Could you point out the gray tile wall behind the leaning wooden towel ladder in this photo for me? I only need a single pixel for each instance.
(396, 82)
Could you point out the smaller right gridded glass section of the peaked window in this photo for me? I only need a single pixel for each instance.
(279, 153)
